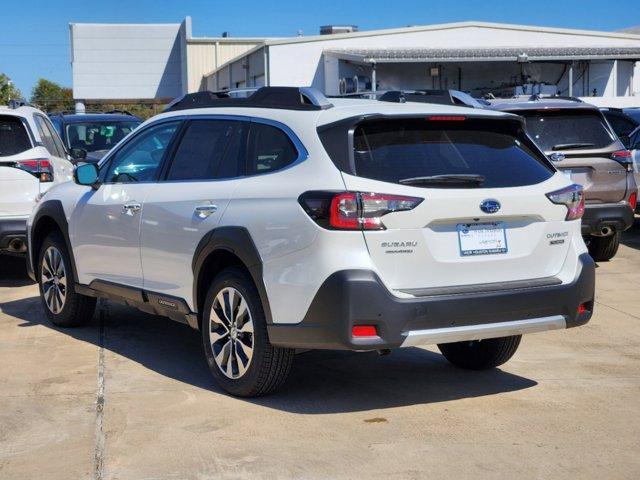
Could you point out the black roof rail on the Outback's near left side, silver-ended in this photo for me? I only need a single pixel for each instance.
(286, 98)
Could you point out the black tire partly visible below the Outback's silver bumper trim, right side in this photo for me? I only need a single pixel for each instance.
(481, 354)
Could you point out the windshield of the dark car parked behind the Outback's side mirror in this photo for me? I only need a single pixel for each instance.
(93, 136)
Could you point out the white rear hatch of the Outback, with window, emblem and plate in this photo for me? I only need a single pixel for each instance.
(484, 218)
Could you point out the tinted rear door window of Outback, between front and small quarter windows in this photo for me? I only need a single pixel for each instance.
(209, 149)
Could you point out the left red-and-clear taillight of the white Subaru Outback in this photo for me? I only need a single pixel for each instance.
(354, 210)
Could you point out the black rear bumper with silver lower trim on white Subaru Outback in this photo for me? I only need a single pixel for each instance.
(358, 297)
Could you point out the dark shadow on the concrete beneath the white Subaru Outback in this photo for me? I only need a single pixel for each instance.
(321, 382)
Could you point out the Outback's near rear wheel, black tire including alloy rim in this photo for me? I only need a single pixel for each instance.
(238, 352)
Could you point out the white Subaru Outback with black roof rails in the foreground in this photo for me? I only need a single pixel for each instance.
(281, 221)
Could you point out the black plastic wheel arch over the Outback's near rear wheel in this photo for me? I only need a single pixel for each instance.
(219, 249)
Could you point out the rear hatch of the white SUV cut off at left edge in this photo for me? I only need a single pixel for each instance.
(18, 186)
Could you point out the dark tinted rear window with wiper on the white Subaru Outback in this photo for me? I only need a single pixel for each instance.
(496, 151)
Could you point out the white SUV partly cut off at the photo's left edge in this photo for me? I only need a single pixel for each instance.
(32, 159)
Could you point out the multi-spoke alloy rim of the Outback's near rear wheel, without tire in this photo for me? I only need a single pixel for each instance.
(231, 333)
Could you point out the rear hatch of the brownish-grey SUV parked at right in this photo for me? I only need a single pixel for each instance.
(586, 147)
